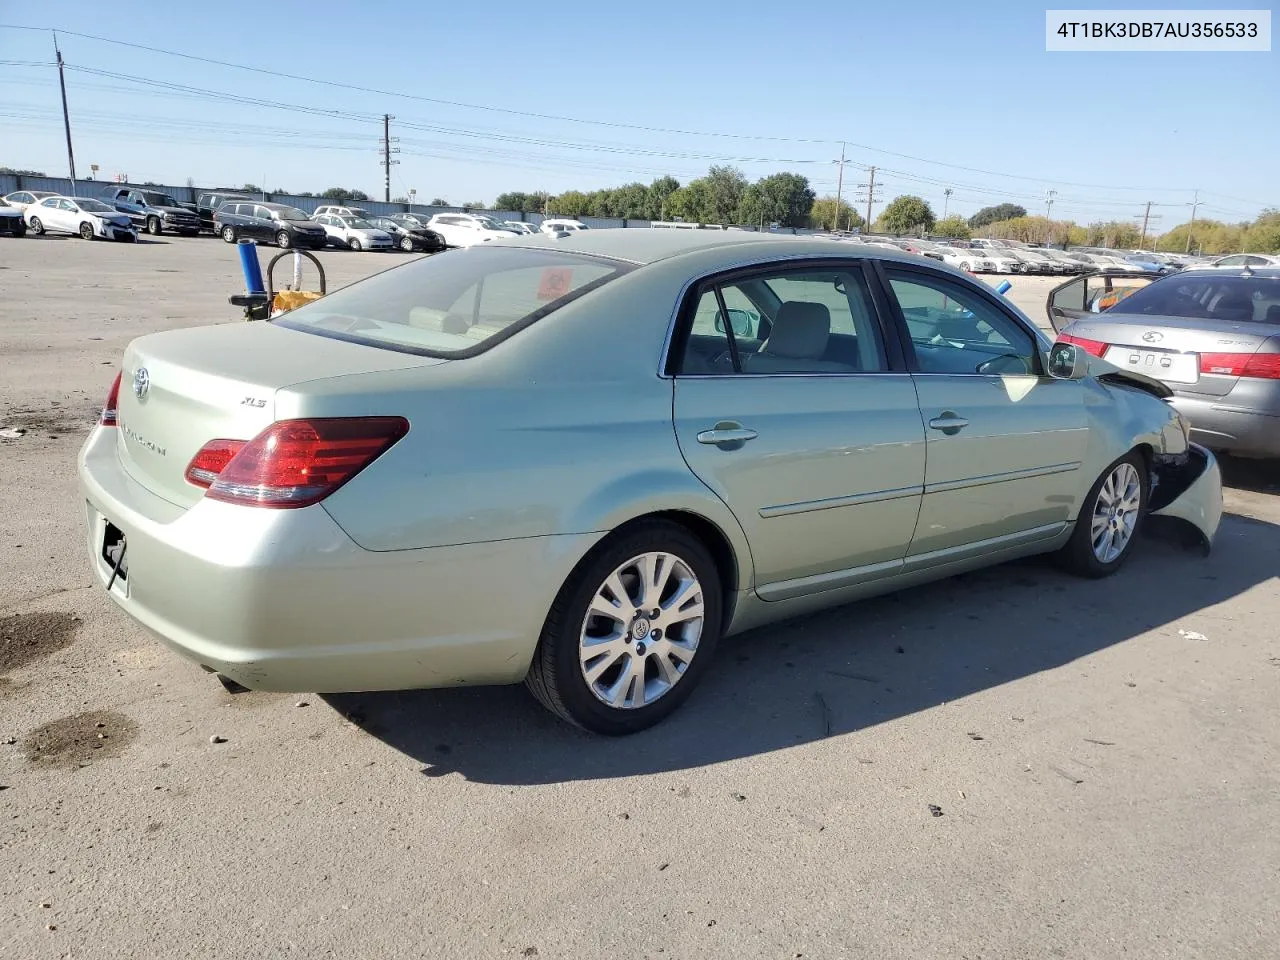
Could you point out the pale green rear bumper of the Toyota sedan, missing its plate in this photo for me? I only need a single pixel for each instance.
(286, 601)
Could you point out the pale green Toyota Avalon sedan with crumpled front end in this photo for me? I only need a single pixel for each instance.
(579, 461)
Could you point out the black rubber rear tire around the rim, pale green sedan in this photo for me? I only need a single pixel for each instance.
(578, 595)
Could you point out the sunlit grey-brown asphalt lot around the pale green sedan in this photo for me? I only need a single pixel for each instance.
(1104, 756)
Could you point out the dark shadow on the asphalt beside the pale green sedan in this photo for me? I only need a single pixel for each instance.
(835, 673)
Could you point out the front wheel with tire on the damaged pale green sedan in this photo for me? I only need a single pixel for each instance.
(1109, 508)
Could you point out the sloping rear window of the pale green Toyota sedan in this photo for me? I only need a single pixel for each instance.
(454, 305)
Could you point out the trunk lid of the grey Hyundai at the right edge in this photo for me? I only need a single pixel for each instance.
(1192, 355)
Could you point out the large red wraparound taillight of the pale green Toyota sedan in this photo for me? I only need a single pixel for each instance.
(299, 463)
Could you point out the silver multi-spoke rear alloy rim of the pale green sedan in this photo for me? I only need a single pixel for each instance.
(642, 630)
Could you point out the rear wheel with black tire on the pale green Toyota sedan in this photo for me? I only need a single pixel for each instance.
(669, 674)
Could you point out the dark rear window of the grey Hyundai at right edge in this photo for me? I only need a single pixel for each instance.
(1229, 299)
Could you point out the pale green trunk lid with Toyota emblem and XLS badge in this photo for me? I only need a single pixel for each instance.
(185, 388)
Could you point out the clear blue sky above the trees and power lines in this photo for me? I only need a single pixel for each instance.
(917, 89)
